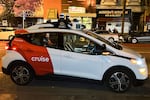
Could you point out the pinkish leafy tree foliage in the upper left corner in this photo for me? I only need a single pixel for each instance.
(14, 8)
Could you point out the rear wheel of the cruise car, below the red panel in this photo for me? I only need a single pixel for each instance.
(21, 73)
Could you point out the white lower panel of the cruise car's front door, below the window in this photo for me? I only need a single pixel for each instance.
(81, 65)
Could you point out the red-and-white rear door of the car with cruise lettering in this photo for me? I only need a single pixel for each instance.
(43, 59)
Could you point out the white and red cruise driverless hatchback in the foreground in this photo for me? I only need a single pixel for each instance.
(76, 53)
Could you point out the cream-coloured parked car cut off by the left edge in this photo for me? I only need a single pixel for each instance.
(6, 32)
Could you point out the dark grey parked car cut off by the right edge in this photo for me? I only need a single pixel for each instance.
(139, 37)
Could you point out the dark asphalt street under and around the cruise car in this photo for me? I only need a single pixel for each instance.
(64, 88)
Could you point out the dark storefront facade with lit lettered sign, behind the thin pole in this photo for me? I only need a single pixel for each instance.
(110, 15)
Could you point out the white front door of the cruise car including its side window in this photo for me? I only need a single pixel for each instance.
(79, 61)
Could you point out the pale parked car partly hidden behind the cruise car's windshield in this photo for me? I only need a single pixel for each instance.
(112, 37)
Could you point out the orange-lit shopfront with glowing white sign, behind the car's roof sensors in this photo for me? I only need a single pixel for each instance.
(82, 10)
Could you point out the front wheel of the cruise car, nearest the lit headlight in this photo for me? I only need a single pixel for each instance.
(118, 80)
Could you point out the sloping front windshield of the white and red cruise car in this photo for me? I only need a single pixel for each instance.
(114, 44)
